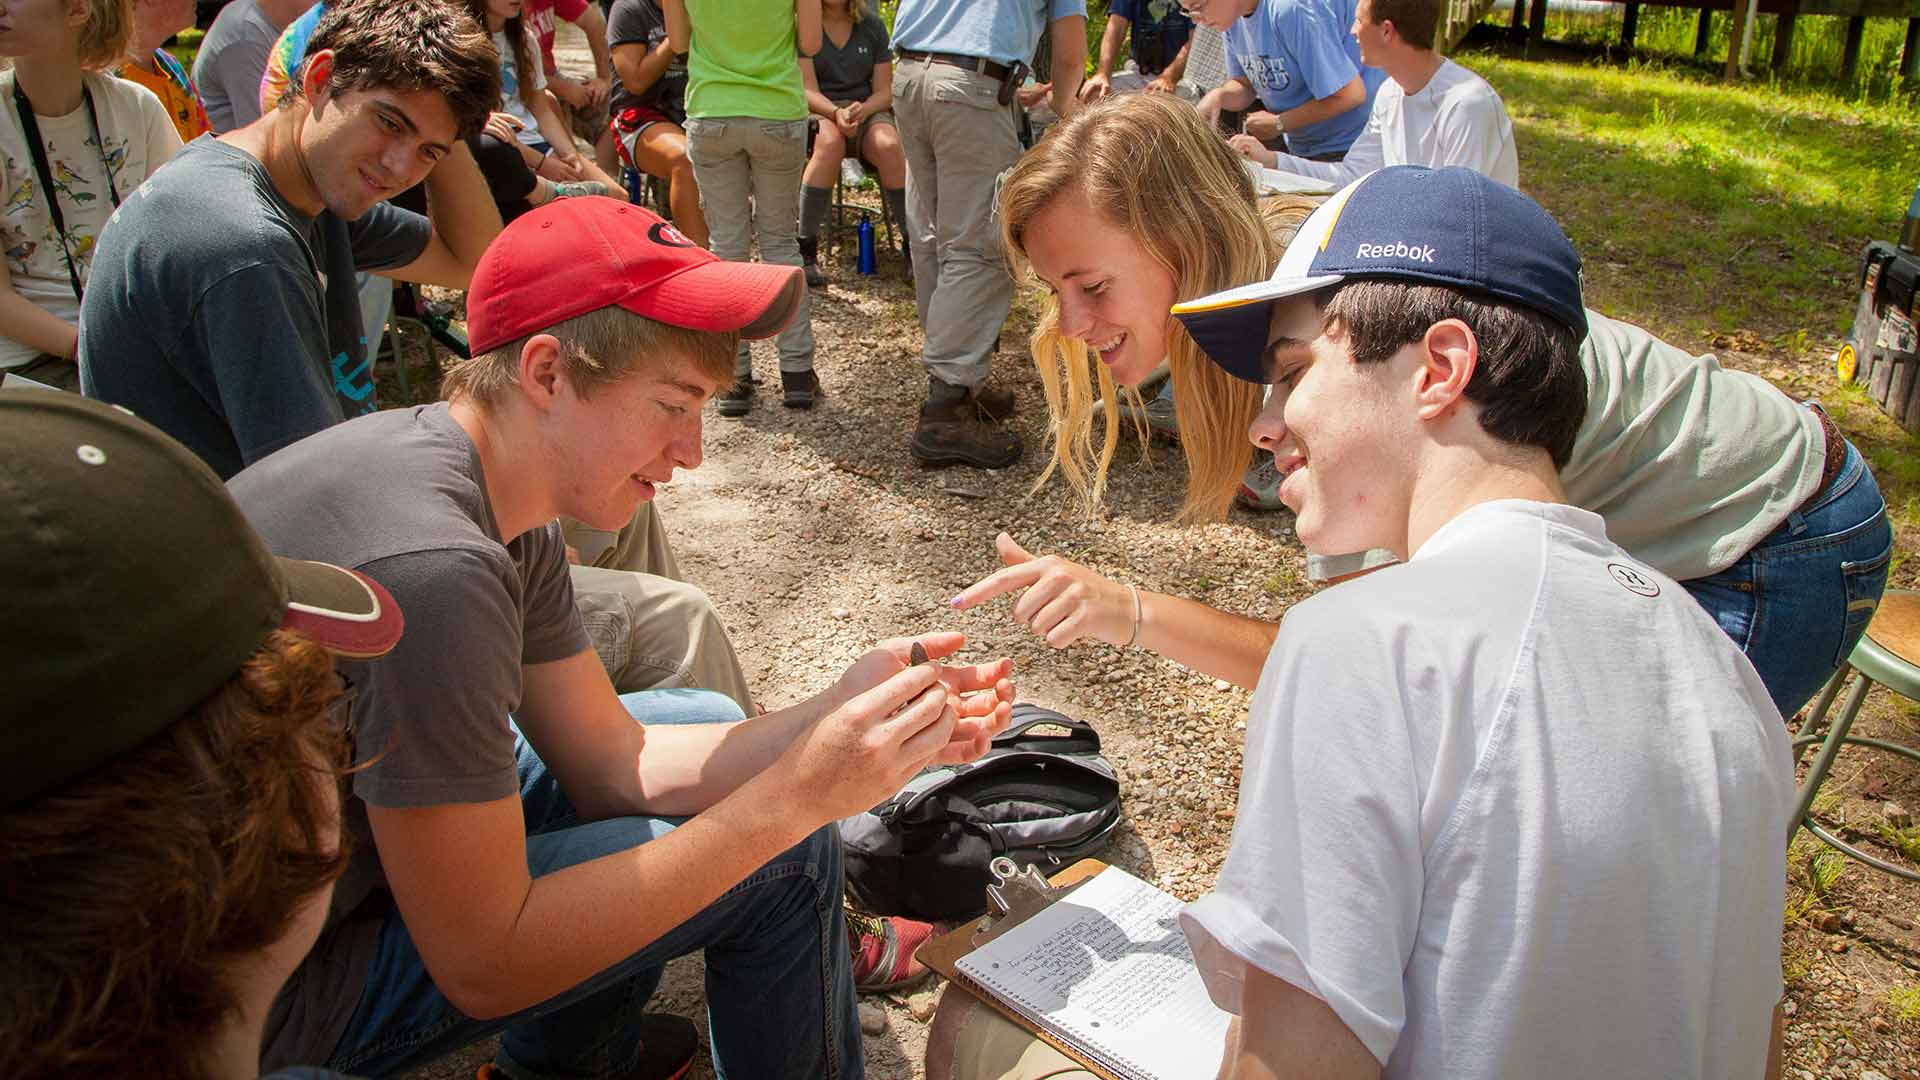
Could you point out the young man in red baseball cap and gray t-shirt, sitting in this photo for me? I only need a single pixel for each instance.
(535, 848)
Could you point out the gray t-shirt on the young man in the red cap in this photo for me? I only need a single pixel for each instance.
(433, 714)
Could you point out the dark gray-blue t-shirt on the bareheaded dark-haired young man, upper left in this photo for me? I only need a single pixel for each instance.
(245, 337)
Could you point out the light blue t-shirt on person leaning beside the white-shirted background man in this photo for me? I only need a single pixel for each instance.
(1297, 53)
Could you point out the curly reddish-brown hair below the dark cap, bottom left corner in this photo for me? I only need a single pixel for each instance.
(130, 895)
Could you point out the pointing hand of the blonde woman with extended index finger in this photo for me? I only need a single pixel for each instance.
(1059, 601)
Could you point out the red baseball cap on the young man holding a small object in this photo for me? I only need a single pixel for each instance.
(581, 255)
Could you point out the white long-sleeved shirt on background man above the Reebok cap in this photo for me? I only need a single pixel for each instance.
(1454, 120)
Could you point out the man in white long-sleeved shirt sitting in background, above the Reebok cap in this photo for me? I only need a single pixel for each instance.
(1429, 112)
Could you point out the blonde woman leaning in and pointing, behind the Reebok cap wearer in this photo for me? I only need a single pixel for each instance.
(1756, 504)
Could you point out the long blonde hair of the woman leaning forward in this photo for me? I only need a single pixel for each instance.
(1155, 168)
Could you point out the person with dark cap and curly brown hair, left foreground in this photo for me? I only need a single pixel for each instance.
(172, 789)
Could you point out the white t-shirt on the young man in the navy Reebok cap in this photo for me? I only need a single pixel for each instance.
(1516, 808)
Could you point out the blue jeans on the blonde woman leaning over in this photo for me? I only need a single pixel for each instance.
(1802, 599)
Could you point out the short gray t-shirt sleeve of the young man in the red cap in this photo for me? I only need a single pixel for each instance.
(433, 714)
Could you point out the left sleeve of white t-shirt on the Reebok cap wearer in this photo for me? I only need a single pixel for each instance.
(1322, 885)
